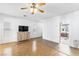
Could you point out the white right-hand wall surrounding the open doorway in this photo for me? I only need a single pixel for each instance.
(51, 27)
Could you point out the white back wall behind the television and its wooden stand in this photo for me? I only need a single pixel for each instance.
(11, 34)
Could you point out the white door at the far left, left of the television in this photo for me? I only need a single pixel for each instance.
(7, 32)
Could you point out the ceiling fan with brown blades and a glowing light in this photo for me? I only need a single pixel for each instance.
(34, 7)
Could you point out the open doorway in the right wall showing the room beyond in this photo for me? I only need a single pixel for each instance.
(64, 33)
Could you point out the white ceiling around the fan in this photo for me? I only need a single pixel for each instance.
(51, 10)
